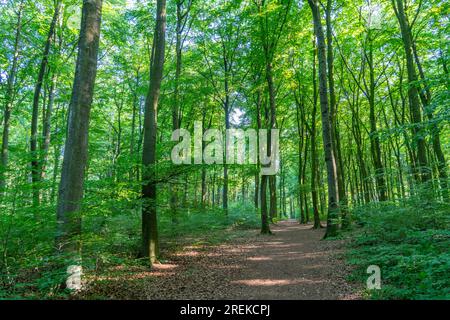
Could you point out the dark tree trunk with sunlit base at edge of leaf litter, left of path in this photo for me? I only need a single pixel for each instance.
(150, 243)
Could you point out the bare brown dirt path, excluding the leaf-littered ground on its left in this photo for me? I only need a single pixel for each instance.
(293, 264)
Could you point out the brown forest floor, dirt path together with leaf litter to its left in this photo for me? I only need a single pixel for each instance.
(293, 263)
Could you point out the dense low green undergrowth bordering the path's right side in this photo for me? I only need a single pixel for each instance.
(409, 241)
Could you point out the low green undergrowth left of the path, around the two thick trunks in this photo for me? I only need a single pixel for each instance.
(29, 268)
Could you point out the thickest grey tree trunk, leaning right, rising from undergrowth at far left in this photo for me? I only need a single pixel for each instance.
(76, 146)
